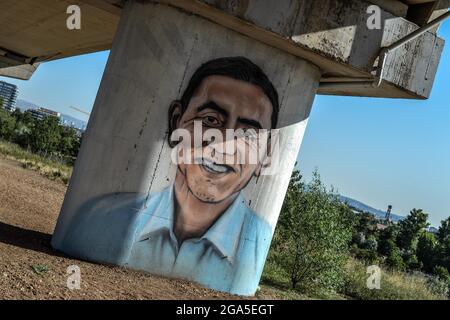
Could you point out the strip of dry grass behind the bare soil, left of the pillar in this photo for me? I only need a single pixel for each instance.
(49, 168)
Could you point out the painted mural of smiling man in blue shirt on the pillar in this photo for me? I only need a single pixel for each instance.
(199, 228)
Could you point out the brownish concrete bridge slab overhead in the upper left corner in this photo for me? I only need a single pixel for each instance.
(37, 29)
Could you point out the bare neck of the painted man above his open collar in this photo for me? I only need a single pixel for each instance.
(194, 217)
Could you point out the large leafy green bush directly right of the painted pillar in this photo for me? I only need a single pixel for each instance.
(312, 239)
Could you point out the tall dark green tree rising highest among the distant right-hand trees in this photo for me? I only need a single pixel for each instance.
(410, 229)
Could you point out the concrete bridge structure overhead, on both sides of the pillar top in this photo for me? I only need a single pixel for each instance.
(32, 32)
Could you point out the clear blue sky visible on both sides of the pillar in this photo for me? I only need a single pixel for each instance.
(378, 151)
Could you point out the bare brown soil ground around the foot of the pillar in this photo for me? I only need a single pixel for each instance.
(29, 206)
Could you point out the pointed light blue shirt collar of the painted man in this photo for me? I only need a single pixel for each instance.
(223, 235)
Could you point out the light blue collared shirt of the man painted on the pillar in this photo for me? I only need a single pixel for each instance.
(136, 231)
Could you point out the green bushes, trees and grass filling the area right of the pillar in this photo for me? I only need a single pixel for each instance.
(311, 247)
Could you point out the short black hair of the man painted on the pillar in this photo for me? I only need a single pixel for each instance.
(238, 68)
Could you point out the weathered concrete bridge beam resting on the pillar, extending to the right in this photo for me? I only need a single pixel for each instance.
(332, 34)
